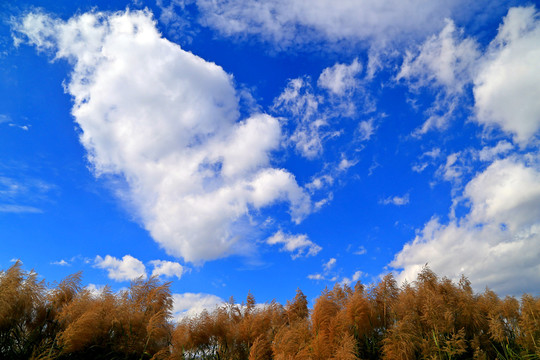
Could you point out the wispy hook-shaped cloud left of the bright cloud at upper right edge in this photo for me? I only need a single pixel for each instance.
(446, 63)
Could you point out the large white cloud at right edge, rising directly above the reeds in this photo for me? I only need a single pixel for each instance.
(497, 244)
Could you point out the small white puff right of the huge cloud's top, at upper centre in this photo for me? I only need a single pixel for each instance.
(340, 78)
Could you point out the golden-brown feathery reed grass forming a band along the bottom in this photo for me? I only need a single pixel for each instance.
(431, 318)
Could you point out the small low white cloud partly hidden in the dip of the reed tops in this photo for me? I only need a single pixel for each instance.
(191, 304)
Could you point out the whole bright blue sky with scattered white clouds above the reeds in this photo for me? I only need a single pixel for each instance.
(261, 146)
